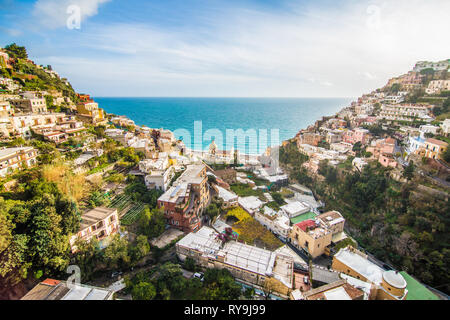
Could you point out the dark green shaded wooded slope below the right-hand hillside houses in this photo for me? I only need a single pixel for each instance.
(389, 219)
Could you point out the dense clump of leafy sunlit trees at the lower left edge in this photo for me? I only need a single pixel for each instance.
(36, 221)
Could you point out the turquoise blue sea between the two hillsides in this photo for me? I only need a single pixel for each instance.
(199, 120)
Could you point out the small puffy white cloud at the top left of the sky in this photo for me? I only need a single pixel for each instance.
(55, 13)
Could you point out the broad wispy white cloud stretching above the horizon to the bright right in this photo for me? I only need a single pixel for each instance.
(344, 51)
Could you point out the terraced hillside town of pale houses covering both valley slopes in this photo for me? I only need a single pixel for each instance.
(144, 217)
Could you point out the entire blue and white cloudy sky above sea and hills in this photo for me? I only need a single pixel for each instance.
(232, 48)
